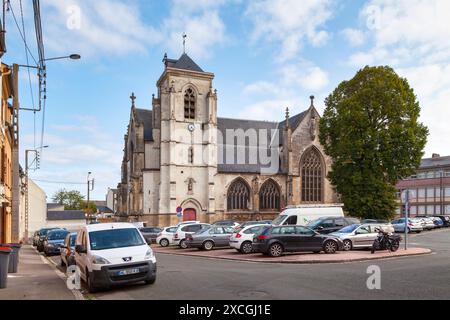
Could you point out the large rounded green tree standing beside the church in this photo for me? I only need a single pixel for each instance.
(370, 129)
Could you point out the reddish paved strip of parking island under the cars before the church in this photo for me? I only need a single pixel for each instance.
(294, 258)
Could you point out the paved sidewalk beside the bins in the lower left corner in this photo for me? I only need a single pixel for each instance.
(35, 280)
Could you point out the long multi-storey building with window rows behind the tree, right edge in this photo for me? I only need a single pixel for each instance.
(429, 188)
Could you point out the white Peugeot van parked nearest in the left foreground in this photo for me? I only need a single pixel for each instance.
(110, 254)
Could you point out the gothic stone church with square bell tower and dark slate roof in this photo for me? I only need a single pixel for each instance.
(178, 154)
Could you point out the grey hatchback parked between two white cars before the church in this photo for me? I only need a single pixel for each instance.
(207, 239)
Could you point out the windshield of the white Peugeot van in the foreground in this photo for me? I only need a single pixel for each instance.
(115, 238)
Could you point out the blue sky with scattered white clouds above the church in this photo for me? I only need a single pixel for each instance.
(266, 55)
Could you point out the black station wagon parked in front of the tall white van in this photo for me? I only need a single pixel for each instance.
(275, 240)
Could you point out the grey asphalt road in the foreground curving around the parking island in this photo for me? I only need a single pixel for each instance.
(181, 277)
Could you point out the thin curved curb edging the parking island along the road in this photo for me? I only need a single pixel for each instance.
(305, 262)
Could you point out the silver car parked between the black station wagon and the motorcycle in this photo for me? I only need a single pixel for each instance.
(361, 235)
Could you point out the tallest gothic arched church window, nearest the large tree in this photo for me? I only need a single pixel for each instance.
(312, 176)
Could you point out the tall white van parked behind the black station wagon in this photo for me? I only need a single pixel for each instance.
(303, 214)
